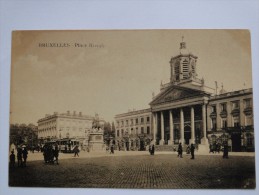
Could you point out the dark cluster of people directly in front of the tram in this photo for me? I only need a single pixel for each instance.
(50, 153)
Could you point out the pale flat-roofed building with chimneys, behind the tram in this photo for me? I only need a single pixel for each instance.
(66, 125)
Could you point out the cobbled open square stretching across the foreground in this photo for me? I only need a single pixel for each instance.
(138, 170)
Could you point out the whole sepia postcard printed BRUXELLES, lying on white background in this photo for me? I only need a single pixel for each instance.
(132, 109)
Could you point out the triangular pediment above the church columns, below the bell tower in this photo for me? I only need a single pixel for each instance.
(176, 93)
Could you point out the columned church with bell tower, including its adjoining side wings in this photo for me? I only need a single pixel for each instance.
(187, 111)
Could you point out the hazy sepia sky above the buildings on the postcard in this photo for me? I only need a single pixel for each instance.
(119, 74)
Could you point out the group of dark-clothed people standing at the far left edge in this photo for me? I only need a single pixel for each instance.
(22, 155)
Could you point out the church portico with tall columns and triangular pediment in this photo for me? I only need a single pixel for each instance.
(180, 118)
